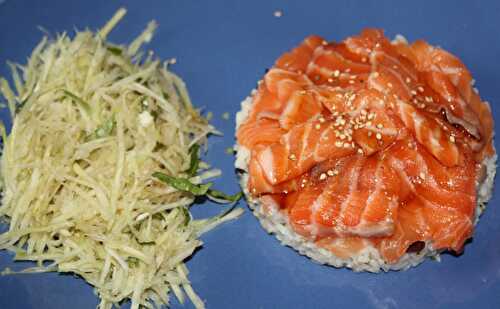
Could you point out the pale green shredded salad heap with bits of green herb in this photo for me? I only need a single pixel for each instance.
(101, 166)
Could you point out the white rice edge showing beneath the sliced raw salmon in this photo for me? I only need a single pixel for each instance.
(369, 259)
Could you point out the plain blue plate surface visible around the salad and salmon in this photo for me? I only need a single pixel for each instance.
(223, 48)
